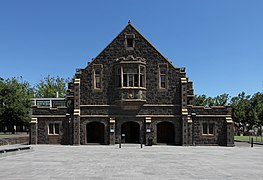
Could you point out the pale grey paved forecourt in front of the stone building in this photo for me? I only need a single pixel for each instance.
(131, 162)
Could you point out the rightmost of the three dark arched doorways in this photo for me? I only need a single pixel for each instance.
(165, 133)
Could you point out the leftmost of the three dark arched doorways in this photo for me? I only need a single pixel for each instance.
(95, 132)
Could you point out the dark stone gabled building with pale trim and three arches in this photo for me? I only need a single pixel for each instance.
(131, 93)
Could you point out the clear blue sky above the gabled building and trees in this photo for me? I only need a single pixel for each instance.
(220, 42)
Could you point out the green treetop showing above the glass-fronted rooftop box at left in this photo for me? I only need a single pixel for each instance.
(50, 86)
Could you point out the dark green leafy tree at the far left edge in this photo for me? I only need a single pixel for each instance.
(15, 102)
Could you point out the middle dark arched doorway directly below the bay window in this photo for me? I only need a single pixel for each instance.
(131, 131)
